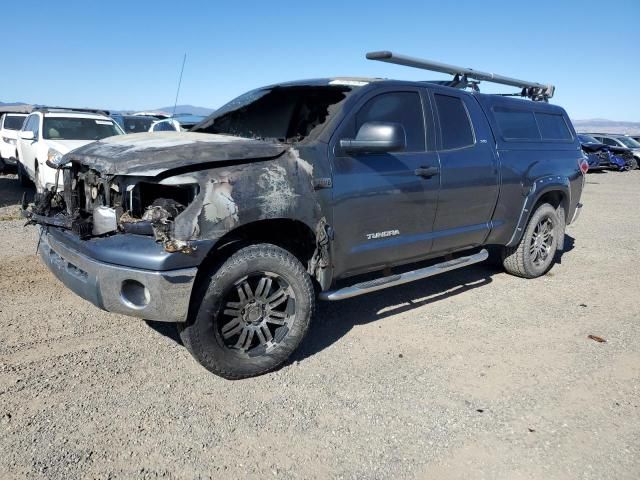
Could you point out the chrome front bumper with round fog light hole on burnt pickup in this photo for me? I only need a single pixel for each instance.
(152, 295)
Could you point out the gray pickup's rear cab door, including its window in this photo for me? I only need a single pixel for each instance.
(468, 175)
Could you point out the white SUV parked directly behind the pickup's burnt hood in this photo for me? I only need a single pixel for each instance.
(47, 134)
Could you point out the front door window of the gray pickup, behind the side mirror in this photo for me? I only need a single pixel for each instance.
(404, 108)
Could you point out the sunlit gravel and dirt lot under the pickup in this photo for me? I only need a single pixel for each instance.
(474, 374)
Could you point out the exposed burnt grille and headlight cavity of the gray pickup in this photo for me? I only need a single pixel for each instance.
(92, 204)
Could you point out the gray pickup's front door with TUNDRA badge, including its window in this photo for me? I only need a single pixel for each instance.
(382, 207)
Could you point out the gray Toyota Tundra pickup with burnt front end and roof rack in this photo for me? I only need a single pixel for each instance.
(327, 189)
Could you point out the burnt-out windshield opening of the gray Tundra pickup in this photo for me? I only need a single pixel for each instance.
(286, 114)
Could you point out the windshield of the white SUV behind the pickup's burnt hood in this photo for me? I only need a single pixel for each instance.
(74, 128)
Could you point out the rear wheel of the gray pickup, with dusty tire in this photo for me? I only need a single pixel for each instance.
(535, 254)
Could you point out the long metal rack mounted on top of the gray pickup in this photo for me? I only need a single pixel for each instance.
(467, 77)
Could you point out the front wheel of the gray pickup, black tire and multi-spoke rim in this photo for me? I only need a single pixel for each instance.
(279, 305)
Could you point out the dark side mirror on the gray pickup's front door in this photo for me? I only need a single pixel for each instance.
(377, 137)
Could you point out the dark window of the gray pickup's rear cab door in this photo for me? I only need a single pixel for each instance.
(455, 126)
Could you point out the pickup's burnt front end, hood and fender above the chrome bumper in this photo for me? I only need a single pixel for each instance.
(186, 195)
